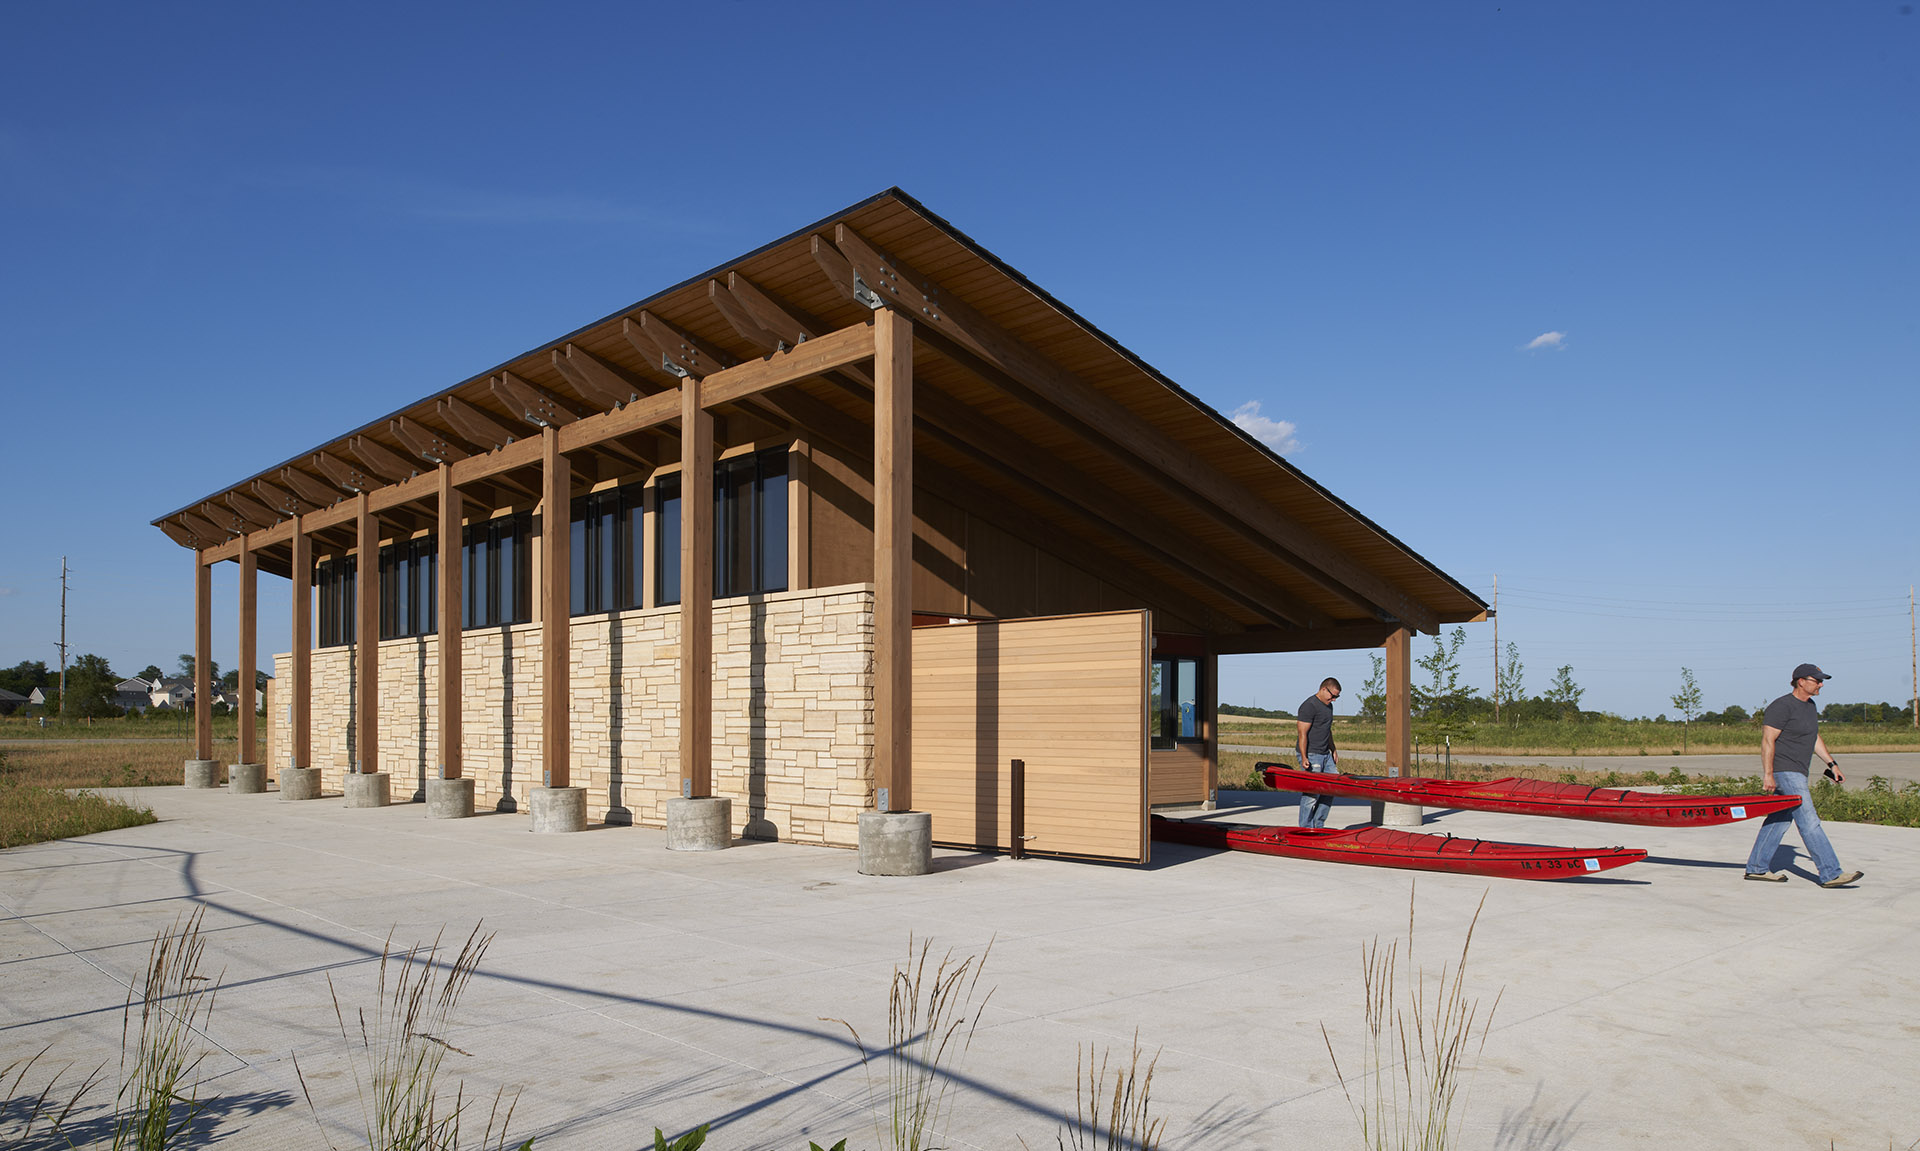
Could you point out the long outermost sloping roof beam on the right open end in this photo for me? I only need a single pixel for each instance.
(948, 324)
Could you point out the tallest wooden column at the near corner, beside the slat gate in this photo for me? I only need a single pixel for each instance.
(894, 562)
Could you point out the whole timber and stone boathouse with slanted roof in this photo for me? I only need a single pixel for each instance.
(852, 526)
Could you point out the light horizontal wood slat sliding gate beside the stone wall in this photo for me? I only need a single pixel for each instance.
(1065, 695)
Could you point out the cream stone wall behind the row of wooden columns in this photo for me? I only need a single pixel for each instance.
(794, 714)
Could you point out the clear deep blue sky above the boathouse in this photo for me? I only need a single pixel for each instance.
(235, 232)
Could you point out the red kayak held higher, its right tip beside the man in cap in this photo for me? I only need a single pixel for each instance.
(1535, 798)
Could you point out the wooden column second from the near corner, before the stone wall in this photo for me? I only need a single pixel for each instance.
(696, 595)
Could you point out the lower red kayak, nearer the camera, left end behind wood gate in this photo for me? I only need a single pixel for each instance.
(1406, 850)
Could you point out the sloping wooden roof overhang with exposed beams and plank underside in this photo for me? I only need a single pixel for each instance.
(1024, 414)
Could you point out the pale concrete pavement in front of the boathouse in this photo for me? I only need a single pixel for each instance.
(1666, 1004)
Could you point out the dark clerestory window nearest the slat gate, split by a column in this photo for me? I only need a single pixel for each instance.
(750, 527)
